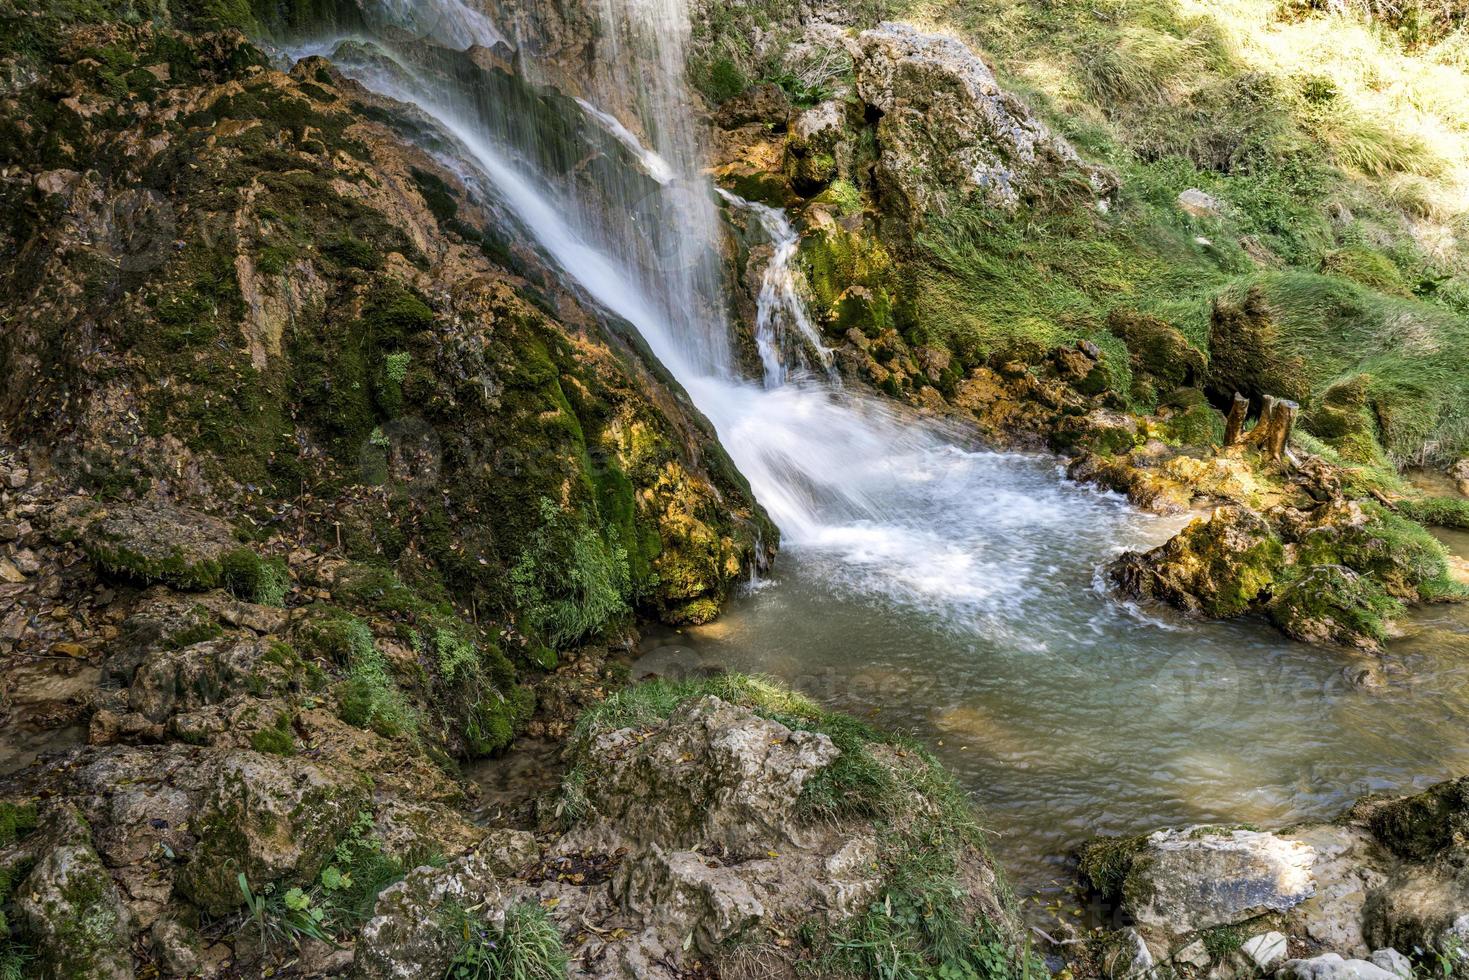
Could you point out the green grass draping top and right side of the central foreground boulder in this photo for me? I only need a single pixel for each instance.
(923, 925)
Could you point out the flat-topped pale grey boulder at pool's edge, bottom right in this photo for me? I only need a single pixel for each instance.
(1183, 882)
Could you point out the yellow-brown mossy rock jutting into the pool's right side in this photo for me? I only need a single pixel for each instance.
(1214, 568)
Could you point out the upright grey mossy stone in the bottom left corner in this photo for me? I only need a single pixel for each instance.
(74, 910)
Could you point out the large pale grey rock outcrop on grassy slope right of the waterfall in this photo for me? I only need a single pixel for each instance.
(947, 123)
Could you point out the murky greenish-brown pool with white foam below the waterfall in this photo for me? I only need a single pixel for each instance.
(1067, 713)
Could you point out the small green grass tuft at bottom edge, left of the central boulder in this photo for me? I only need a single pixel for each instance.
(528, 948)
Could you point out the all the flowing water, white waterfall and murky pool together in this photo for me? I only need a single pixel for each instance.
(925, 583)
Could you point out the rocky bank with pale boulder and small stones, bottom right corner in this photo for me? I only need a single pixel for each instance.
(1382, 893)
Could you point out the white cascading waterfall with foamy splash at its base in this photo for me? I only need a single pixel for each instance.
(838, 471)
